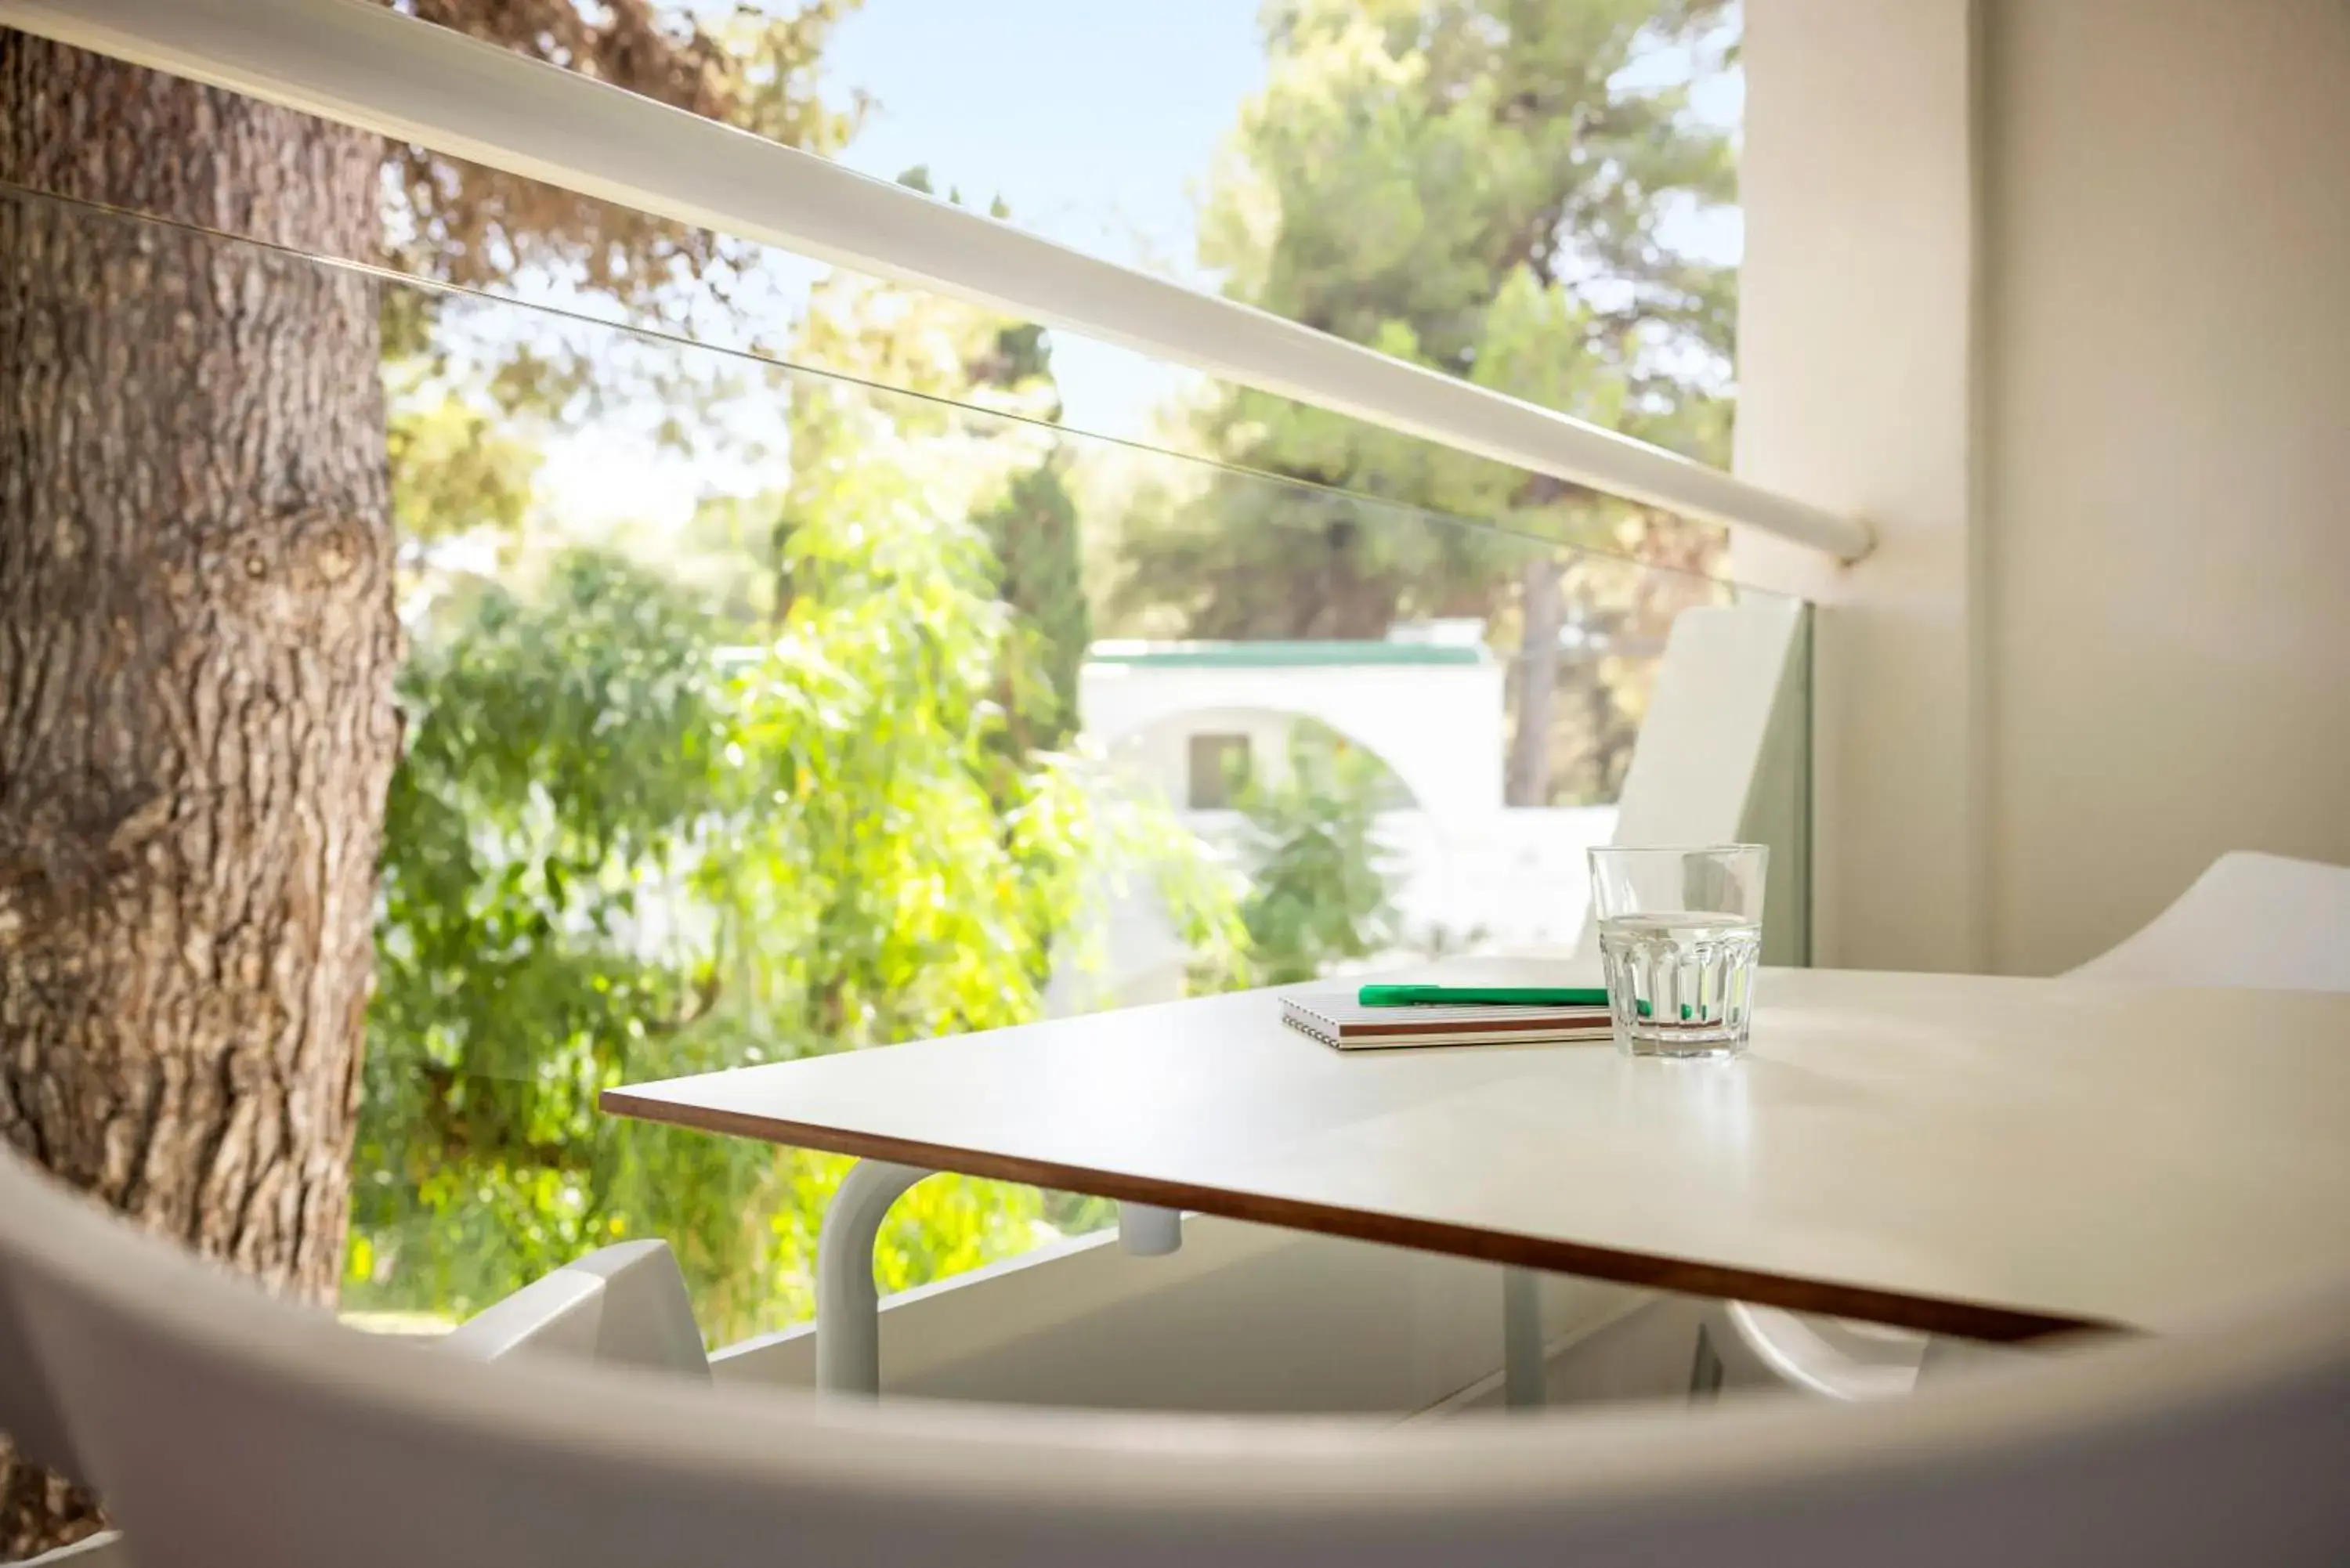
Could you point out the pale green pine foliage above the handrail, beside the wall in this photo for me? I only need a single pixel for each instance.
(1411, 156)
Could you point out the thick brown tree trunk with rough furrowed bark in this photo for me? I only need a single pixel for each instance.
(196, 669)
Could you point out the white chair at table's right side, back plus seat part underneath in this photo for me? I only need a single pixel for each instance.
(2257, 923)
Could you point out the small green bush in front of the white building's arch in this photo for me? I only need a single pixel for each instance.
(1320, 887)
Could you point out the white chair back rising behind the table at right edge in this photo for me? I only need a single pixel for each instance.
(2260, 923)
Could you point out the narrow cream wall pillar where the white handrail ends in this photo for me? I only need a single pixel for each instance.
(1858, 391)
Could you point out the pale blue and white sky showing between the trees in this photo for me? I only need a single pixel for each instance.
(1096, 123)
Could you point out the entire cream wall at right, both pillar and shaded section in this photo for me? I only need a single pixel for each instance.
(2057, 293)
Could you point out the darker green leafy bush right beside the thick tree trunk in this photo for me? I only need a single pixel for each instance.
(556, 756)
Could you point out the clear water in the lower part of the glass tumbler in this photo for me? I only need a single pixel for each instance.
(1681, 981)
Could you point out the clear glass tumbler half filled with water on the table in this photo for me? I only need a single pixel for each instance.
(1679, 942)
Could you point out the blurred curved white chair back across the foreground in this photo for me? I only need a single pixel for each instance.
(229, 1428)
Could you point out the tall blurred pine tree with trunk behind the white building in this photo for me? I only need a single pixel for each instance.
(1477, 187)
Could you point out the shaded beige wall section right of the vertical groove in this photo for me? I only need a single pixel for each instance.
(2170, 431)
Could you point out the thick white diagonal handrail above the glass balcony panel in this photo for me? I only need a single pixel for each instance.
(375, 69)
